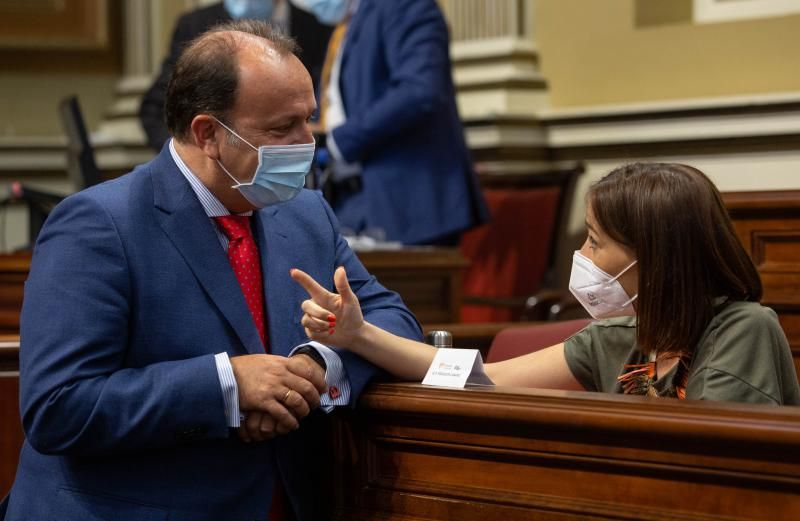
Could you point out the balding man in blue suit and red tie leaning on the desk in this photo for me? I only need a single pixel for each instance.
(139, 348)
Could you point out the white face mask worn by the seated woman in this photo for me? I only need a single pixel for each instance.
(601, 294)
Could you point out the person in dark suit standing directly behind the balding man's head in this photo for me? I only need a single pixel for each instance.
(311, 36)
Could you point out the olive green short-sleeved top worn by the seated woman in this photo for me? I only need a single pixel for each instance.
(743, 356)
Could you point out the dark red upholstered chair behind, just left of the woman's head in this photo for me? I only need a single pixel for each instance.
(512, 273)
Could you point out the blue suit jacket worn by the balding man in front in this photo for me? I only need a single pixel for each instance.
(129, 297)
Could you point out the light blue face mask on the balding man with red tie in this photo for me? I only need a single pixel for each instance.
(280, 174)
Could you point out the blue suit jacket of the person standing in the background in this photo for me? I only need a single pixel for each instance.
(402, 122)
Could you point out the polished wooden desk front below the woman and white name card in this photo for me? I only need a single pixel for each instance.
(411, 452)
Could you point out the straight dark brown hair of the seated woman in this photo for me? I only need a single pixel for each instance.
(672, 217)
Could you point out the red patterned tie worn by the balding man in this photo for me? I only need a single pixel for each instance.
(243, 254)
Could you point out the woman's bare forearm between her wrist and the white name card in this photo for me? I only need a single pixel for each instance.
(404, 358)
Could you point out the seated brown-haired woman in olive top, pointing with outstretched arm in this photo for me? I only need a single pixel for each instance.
(676, 294)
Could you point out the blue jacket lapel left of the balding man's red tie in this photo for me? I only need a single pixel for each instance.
(181, 216)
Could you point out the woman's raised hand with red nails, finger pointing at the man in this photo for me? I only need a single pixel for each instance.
(330, 318)
